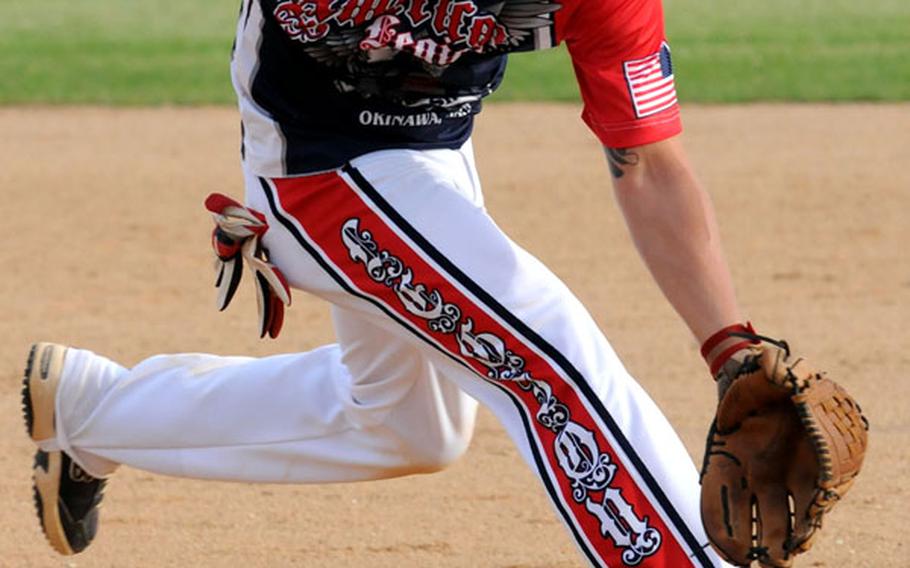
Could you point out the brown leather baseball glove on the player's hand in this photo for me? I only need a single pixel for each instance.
(786, 444)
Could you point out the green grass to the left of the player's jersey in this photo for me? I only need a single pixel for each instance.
(110, 52)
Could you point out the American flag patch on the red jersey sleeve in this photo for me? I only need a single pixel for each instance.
(650, 81)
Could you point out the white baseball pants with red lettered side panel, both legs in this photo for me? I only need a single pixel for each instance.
(434, 309)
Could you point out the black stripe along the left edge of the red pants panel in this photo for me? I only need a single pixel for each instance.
(529, 433)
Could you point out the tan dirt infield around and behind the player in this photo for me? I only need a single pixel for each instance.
(106, 247)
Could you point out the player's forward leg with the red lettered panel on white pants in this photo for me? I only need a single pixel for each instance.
(400, 233)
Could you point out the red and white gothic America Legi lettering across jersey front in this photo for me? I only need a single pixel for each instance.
(435, 31)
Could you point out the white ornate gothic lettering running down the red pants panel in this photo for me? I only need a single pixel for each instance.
(578, 453)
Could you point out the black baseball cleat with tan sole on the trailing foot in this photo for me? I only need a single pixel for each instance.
(66, 496)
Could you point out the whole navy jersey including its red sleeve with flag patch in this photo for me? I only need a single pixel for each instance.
(320, 82)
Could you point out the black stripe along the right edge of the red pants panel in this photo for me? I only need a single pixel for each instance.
(544, 346)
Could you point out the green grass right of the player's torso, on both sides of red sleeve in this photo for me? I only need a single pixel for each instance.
(760, 50)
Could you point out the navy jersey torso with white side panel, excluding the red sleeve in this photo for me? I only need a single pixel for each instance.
(340, 78)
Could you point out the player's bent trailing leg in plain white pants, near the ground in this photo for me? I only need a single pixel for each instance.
(370, 407)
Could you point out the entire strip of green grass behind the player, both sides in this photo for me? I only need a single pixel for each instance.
(176, 52)
